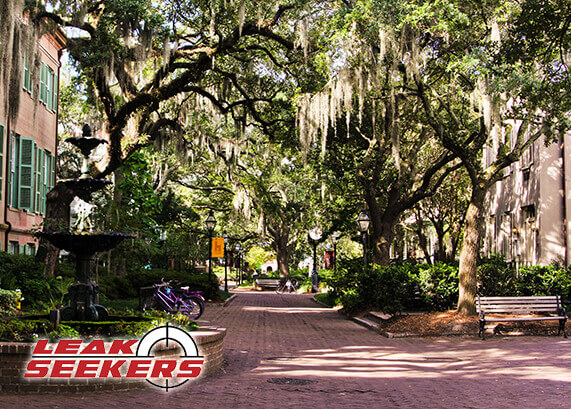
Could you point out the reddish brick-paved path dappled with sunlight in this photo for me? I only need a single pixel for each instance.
(285, 351)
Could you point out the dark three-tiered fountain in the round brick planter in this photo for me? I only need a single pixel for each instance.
(82, 240)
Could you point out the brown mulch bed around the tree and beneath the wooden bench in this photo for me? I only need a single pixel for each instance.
(451, 323)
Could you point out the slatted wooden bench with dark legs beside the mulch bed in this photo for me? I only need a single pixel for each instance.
(550, 307)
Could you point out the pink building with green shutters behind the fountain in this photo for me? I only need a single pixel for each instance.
(28, 147)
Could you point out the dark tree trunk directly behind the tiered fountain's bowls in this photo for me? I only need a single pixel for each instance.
(58, 201)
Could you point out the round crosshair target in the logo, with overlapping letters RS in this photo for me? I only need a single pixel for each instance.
(171, 373)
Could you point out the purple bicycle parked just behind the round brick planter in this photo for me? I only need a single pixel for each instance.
(166, 298)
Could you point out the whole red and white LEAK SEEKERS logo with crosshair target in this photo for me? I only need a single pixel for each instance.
(76, 359)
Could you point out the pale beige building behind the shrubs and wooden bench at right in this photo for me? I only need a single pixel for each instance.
(528, 211)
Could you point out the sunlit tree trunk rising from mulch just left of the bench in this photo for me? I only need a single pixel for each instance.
(469, 253)
